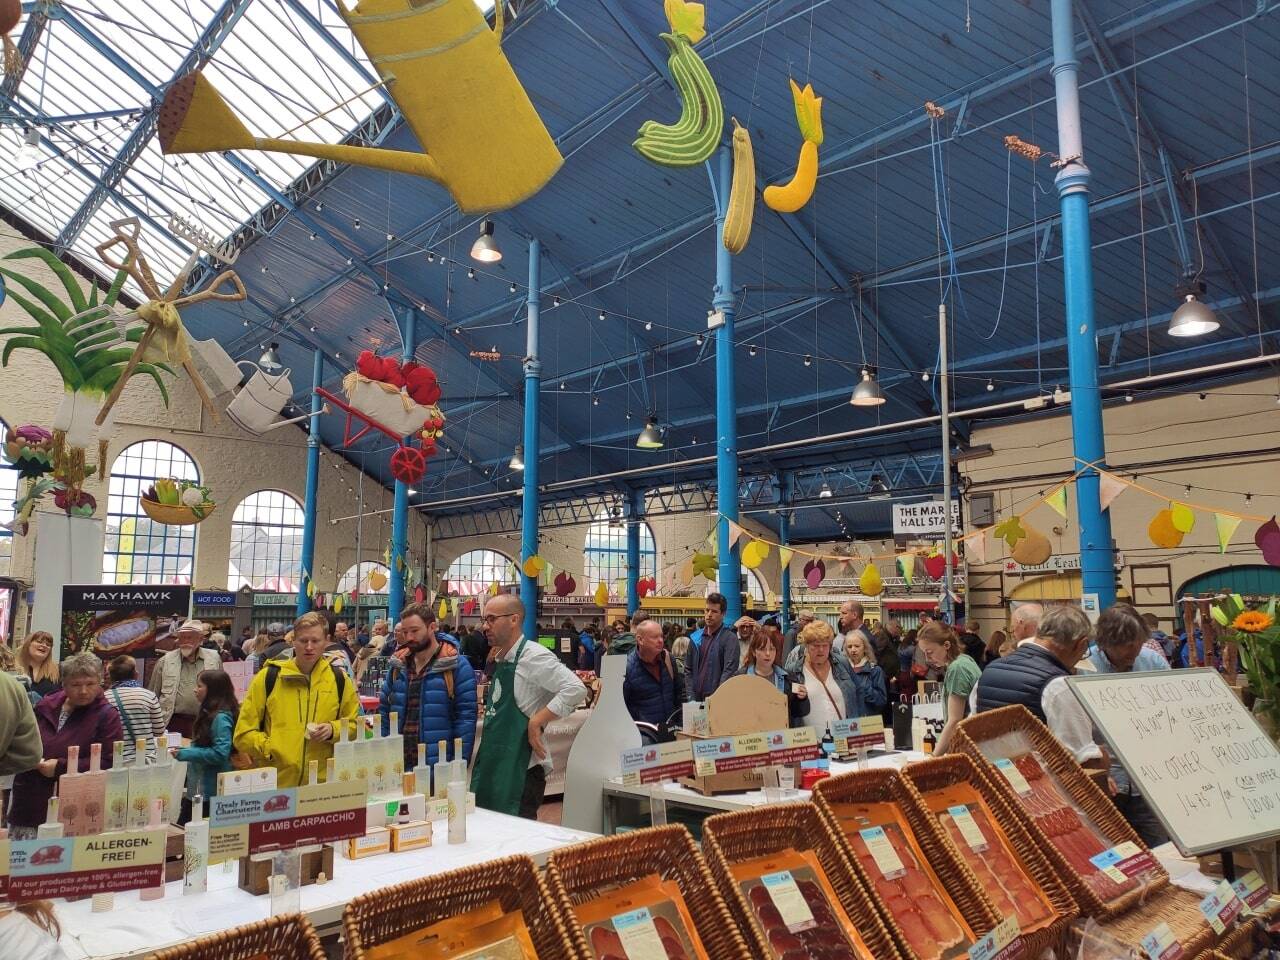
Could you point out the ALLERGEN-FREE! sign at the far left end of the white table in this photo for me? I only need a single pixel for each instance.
(80, 867)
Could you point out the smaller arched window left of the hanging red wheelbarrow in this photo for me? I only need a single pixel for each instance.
(267, 543)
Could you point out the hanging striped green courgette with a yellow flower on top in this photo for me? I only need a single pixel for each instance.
(697, 134)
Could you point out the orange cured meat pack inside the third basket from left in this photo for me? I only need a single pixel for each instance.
(642, 921)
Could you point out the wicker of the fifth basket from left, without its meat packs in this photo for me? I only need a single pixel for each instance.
(889, 787)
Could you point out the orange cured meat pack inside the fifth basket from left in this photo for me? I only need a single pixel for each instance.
(906, 883)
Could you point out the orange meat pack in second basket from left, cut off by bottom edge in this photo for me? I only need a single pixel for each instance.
(483, 934)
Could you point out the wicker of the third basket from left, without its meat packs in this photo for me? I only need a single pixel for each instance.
(584, 871)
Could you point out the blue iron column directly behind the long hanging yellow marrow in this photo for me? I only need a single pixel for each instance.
(726, 403)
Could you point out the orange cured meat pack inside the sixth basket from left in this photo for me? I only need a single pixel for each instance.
(971, 825)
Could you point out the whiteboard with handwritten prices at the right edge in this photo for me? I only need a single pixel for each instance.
(1192, 751)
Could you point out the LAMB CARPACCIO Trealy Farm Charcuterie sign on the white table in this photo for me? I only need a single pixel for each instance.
(277, 820)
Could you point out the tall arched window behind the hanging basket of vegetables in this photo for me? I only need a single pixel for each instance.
(136, 550)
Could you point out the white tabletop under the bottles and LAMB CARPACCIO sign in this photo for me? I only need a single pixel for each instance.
(138, 927)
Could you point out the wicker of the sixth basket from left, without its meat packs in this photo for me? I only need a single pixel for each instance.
(958, 769)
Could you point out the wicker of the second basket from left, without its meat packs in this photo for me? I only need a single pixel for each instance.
(387, 915)
